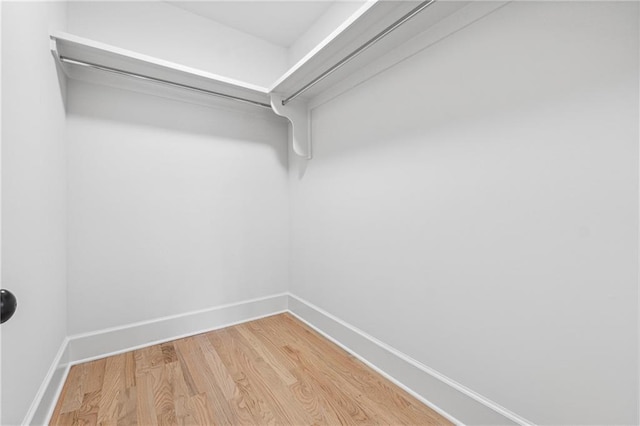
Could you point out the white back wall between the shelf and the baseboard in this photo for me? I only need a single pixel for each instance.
(173, 207)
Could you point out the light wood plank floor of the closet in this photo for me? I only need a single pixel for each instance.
(274, 370)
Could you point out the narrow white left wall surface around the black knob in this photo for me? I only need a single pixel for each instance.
(33, 202)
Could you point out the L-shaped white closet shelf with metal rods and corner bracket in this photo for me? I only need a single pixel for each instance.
(376, 29)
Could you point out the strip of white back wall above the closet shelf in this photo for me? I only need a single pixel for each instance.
(168, 32)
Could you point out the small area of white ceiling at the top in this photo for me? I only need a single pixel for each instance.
(280, 22)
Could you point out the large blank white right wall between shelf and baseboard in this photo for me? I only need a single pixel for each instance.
(476, 207)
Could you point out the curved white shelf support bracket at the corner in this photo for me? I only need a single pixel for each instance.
(298, 114)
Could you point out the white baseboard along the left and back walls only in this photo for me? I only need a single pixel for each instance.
(99, 344)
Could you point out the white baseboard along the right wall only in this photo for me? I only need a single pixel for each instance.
(446, 396)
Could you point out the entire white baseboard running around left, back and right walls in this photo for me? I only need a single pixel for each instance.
(454, 401)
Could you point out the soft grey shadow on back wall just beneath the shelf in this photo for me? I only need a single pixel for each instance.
(208, 116)
